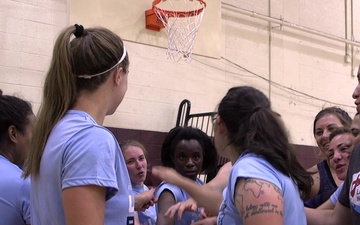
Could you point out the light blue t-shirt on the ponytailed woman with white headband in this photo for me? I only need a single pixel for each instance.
(79, 152)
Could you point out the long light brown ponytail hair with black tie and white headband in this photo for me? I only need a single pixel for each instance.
(93, 51)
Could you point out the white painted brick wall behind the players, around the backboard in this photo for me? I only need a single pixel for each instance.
(300, 61)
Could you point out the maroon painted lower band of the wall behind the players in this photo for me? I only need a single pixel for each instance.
(152, 140)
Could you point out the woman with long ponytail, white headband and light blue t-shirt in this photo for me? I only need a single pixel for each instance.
(78, 173)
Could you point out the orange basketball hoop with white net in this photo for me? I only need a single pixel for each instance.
(181, 19)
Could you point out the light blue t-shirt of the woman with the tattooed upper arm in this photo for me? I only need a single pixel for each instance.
(253, 166)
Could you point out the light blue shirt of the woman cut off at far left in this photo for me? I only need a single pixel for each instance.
(14, 194)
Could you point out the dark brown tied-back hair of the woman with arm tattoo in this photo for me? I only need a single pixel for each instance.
(254, 127)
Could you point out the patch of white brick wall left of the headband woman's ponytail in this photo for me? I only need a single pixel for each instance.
(28, 29)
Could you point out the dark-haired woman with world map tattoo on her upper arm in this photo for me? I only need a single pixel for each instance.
(266, 181)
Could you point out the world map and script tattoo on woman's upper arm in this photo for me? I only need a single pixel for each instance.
(257, 189)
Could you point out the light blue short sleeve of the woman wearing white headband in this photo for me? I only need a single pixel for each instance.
(89, 159)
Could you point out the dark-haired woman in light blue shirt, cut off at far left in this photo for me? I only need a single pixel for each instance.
(16, 125)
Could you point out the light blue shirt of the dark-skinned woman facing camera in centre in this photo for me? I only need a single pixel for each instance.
(180, 195)
